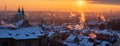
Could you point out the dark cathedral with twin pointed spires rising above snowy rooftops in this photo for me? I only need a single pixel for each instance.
(19, 18)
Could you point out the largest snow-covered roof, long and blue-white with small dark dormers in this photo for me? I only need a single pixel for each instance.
(22, 33)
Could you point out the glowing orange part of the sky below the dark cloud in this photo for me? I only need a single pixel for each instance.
(63, 5)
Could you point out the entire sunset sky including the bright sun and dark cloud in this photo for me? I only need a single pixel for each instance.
(61, 5)
